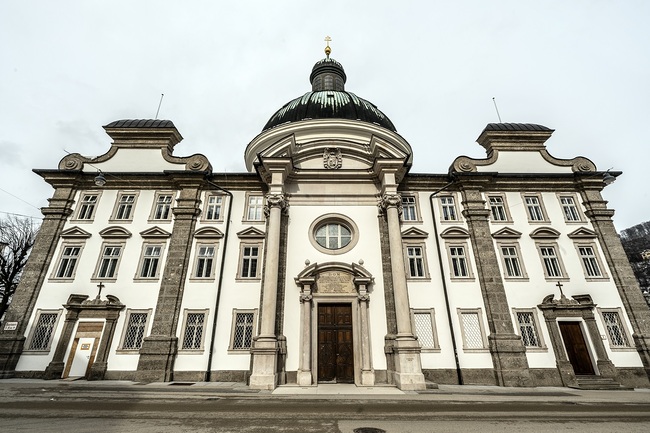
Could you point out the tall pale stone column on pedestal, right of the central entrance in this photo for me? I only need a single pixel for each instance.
(408, 367)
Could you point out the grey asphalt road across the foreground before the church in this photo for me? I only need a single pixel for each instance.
(132, 409)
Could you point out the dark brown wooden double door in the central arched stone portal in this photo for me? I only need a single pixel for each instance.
(335, 345)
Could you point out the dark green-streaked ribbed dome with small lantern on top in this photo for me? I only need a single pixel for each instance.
(329, 100)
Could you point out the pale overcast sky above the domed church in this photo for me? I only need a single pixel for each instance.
(580, 67)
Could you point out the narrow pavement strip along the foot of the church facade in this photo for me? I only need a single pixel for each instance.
(445, 393)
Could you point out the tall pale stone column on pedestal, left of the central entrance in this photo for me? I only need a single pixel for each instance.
(265, 349)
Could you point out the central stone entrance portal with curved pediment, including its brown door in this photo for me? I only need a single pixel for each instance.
(335, 335)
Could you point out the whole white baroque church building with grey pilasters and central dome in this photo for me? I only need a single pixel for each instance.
(328, 261)
